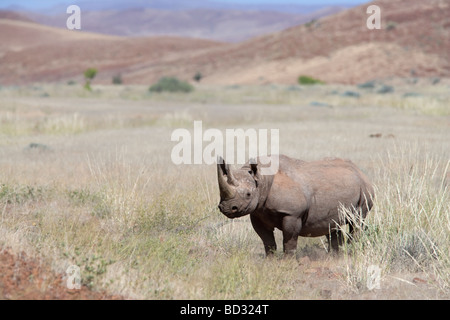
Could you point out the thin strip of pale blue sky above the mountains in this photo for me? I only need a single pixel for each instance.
(42, 4)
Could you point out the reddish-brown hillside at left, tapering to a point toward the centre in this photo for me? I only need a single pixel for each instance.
(35, 53)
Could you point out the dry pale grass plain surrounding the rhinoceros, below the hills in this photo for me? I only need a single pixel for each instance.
(105, 195)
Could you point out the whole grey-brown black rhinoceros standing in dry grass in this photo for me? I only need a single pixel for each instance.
(301, 199)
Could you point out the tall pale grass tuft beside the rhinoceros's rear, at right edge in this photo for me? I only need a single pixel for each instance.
(408, 228)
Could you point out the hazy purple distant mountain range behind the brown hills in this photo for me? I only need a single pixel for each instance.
(207, 23)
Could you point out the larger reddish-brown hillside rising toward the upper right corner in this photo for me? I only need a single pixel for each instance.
(414, 41)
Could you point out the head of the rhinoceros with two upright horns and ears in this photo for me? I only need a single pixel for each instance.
(239, 193)
